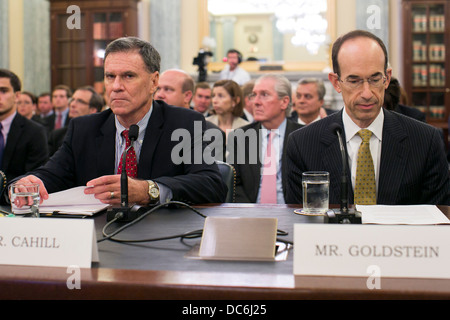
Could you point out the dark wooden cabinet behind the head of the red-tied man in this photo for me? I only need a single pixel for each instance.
(77, 53)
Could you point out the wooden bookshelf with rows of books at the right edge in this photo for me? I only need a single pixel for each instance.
(426, 81)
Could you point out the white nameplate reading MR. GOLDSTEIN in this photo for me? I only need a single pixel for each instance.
(359, 250)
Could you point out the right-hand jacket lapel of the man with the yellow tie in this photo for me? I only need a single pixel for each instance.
(394, 155)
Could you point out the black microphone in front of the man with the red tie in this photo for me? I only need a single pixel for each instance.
(124, 213)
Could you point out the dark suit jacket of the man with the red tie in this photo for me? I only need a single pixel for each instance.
(88, 152)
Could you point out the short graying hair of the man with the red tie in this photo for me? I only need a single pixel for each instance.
(149, 54)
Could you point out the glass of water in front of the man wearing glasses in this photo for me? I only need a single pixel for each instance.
(316, 186)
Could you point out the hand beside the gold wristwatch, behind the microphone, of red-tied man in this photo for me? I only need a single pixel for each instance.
(107, 189)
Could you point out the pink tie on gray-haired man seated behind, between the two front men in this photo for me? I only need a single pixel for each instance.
(269, 178)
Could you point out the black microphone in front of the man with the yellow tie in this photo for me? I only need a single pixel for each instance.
(344, 214)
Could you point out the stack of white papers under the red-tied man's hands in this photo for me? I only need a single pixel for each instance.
(72, 201)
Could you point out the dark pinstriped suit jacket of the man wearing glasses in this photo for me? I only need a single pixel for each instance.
(413, 167)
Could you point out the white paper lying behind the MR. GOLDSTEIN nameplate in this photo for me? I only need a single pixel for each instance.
(414, 214)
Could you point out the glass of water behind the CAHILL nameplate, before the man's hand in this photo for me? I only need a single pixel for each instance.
(24, 198)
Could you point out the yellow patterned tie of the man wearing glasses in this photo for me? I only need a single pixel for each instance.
(365, 188)
